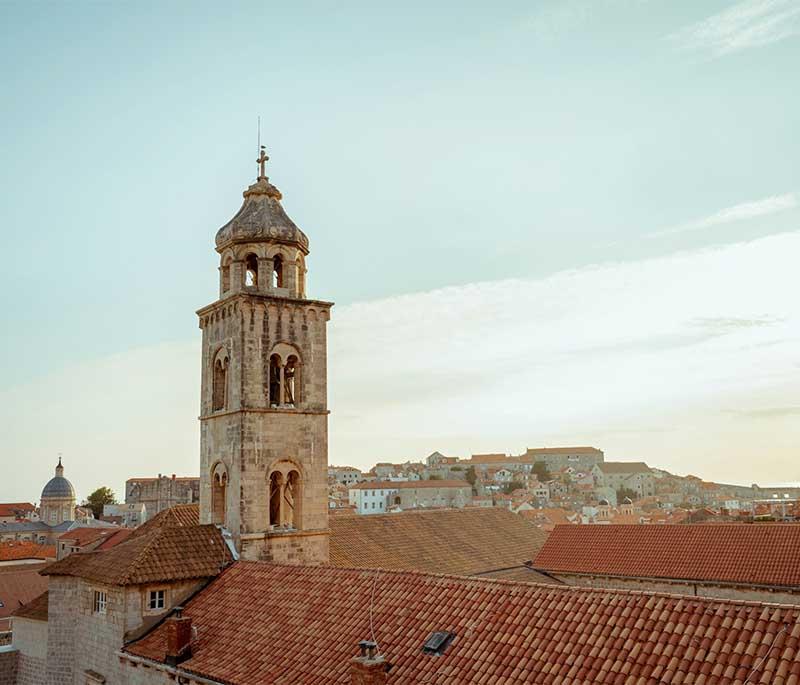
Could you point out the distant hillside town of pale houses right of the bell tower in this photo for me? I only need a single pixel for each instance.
(556, 485)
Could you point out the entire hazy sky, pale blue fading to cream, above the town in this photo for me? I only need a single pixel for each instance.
(542, 223)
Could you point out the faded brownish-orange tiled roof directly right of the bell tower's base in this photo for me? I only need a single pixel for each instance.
(458, 541)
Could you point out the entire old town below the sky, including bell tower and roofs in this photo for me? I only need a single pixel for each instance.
(273, 566)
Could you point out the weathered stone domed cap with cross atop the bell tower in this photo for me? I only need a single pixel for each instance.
(261, 217)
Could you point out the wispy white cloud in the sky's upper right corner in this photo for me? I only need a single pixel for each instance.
(749, 24)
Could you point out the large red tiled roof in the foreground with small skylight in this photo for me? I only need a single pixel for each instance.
(264, 623)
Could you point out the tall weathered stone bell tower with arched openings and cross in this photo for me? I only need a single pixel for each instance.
(264, 410)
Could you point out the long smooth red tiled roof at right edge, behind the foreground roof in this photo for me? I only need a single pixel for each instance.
(733, 553)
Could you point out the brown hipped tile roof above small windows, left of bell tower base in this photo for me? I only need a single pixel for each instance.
(164, 553)
